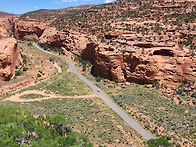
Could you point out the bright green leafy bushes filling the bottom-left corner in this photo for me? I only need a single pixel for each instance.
(19, 127)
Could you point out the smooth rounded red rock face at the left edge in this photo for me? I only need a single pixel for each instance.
(9, 57)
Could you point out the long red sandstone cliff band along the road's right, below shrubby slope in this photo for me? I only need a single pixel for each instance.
(160, 63)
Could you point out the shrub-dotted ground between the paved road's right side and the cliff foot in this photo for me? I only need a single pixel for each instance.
(157, 112)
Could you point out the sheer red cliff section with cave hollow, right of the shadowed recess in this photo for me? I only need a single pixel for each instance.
(164, 67)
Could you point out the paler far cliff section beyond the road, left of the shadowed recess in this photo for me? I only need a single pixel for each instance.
(73, 42)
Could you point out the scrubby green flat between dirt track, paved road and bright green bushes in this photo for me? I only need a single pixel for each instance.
(89, 116)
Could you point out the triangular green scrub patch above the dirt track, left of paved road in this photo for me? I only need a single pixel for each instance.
(64, 84)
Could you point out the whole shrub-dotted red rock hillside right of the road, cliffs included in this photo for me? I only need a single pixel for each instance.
(129, 41)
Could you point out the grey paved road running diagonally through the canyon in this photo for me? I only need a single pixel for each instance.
(131, 122)
